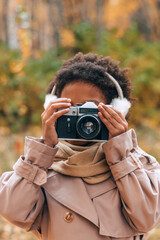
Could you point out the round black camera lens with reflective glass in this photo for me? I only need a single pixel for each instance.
(88, 126)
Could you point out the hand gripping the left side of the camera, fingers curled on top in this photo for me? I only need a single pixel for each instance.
(49, 118)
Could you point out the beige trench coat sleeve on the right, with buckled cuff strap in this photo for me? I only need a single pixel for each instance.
(137, 175)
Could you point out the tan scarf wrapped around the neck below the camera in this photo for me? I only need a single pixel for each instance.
(87, 162)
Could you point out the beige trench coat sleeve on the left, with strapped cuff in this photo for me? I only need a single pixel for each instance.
(21, 195)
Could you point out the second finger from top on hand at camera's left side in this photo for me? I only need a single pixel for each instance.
(54, 108)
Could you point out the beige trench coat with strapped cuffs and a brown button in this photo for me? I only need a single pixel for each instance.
(58, 207)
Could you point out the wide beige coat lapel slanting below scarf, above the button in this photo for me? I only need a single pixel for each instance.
(72, 193)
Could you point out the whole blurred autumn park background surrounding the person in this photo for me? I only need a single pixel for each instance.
(36, 36)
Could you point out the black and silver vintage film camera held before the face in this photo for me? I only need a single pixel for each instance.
(82, 123)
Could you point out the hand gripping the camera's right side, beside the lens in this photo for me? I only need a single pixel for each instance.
(113, 120)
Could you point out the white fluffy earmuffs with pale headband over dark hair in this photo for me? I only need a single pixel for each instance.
(121, 104)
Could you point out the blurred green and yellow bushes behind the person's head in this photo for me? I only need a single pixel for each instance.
(23, 82)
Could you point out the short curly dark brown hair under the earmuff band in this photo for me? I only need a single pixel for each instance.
(91, 68)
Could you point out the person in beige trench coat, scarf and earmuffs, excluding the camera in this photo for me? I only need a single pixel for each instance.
(84, 190)
